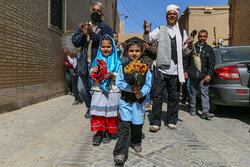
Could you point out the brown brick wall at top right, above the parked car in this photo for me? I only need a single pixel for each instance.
(240, 22)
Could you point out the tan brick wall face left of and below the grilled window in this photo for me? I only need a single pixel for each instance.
(31, 57)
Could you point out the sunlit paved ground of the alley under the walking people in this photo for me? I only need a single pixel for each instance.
(55, 133)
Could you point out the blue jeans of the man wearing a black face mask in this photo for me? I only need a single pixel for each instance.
(84, 89)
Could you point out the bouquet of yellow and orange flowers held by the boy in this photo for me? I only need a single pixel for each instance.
(137, 71)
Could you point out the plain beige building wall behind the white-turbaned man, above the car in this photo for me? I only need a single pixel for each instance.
(194, 17)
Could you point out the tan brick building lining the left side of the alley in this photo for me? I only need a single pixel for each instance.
(31, 56)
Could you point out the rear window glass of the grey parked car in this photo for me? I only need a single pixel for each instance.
(235, 54)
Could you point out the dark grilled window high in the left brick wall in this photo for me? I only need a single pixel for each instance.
(57, 15)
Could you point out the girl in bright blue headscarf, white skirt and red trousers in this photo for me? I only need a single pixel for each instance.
(106, 95)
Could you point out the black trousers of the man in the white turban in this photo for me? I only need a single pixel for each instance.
(163, 82)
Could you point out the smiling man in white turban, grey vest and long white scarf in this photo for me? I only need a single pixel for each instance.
(168, 71)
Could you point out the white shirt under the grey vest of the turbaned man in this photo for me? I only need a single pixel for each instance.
(154, 37)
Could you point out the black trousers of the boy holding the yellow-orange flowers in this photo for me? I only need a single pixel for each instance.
(128, 135)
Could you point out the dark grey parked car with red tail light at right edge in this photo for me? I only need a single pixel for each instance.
(230, 84)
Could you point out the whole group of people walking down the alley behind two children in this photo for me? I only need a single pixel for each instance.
(116, 103)
